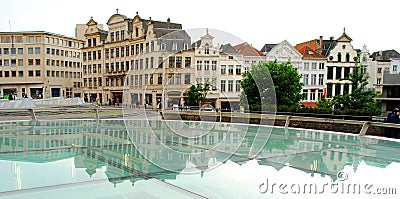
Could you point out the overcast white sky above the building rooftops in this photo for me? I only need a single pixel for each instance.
(374, 23)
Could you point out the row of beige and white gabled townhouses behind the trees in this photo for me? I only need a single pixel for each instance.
(143, 61)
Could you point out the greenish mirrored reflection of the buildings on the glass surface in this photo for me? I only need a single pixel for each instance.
(130, 153)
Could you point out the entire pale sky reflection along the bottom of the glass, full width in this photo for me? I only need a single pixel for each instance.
(229, 180)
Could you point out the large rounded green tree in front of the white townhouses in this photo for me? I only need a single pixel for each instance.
(270, 84)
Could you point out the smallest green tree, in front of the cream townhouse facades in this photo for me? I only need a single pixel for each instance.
(197, 93)
